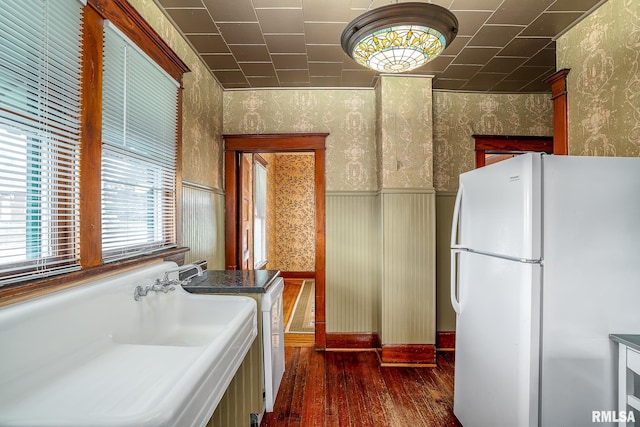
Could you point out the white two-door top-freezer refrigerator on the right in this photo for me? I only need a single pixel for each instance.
(545, 265)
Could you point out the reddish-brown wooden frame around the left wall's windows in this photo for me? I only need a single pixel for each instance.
(132, 24)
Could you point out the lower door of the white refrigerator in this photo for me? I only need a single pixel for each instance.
(497, 336)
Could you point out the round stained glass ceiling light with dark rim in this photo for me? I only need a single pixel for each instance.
(399, 37)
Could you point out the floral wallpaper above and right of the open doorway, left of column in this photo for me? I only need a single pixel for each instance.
(347, 115)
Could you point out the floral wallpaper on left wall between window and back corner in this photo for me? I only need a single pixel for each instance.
(202, 153)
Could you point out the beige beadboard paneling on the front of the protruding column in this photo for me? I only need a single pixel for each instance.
(408, 268)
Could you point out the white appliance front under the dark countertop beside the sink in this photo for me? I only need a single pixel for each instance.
(273, 341)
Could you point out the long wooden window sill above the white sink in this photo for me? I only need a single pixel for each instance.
(31, 289)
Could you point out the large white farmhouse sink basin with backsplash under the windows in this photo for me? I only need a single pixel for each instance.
(92, 355)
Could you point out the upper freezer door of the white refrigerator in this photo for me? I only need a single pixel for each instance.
(500, 209)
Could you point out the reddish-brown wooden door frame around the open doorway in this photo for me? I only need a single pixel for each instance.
(235, 147)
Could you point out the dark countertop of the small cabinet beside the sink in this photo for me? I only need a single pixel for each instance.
(232, 282)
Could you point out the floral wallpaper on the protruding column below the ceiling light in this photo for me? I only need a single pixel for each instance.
(405, 137)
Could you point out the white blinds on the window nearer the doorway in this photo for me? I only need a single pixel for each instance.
(139, 133)
